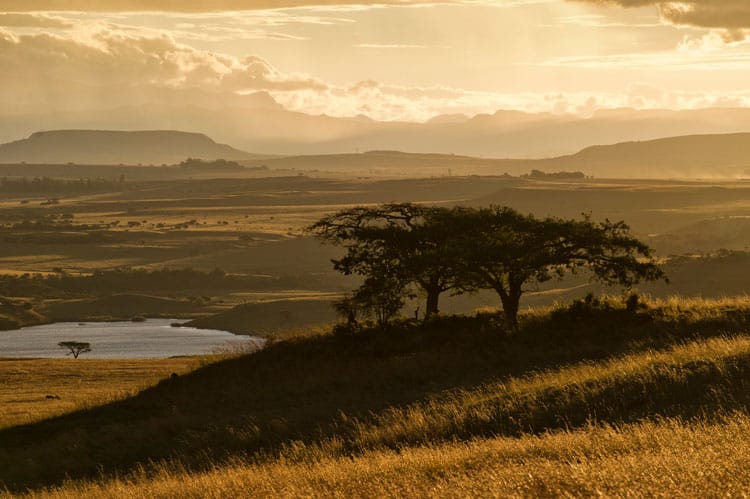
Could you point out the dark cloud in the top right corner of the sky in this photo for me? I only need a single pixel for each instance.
(730, 15)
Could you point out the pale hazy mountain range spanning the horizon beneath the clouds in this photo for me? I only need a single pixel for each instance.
(257, 123)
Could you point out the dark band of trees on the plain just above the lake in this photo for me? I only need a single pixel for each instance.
(127, 280)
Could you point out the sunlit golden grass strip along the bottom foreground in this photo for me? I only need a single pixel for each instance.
(669, 458)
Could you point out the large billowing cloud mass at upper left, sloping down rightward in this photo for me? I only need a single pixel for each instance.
(101, 55)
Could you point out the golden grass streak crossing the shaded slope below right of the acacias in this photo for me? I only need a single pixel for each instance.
(586, 385)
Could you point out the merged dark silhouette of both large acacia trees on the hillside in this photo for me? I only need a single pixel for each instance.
(396, 247)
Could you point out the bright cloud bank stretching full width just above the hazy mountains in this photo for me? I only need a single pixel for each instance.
(99, 66)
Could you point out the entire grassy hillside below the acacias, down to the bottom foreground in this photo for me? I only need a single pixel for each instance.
(454, 402)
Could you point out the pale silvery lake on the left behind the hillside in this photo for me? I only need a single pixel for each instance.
(154, 338)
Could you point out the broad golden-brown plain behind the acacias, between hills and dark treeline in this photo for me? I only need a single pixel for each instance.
(253, 226)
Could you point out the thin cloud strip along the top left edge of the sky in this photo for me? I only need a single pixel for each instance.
(183, 5)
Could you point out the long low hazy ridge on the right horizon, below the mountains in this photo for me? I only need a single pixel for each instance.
(690, 156)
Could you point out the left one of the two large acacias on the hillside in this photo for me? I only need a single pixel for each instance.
(393, 246)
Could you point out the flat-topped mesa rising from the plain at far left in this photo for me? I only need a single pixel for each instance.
(109, 147)
